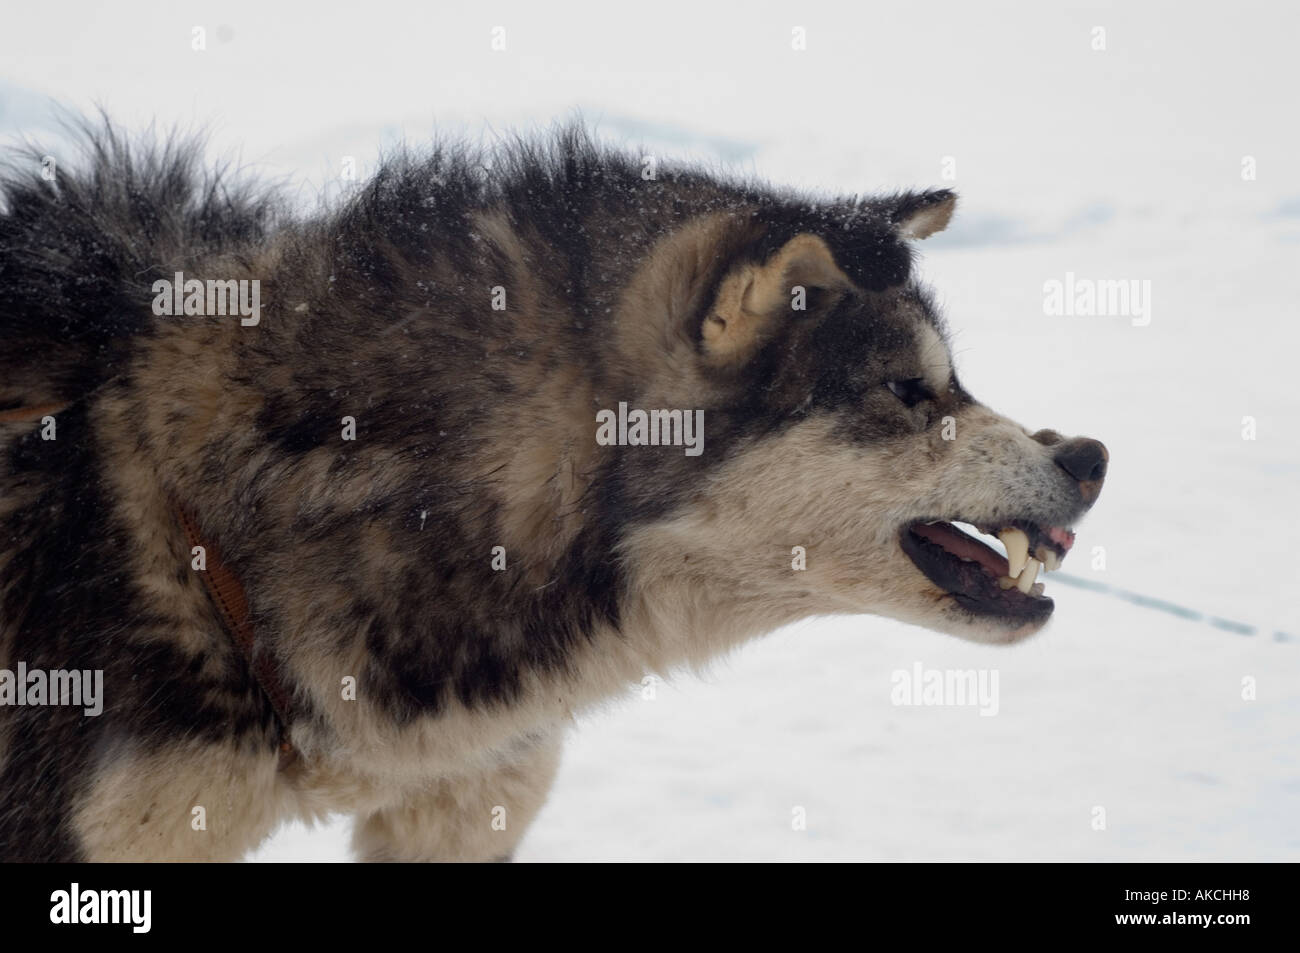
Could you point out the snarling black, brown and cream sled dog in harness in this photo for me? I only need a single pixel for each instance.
(354, 512)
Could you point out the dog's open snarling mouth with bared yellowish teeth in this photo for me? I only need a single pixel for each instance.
(983, 581)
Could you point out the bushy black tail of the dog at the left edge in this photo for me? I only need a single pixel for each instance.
(81, 245)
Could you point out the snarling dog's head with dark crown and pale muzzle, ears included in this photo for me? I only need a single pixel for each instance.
(840, 447)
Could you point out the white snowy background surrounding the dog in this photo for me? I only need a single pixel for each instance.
(1125, 164)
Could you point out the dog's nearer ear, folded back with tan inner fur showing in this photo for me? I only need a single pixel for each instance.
(755, 300)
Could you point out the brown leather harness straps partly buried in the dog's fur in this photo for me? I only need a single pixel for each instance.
(227, 595)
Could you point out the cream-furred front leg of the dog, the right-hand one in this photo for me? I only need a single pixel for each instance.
(469, 818)
